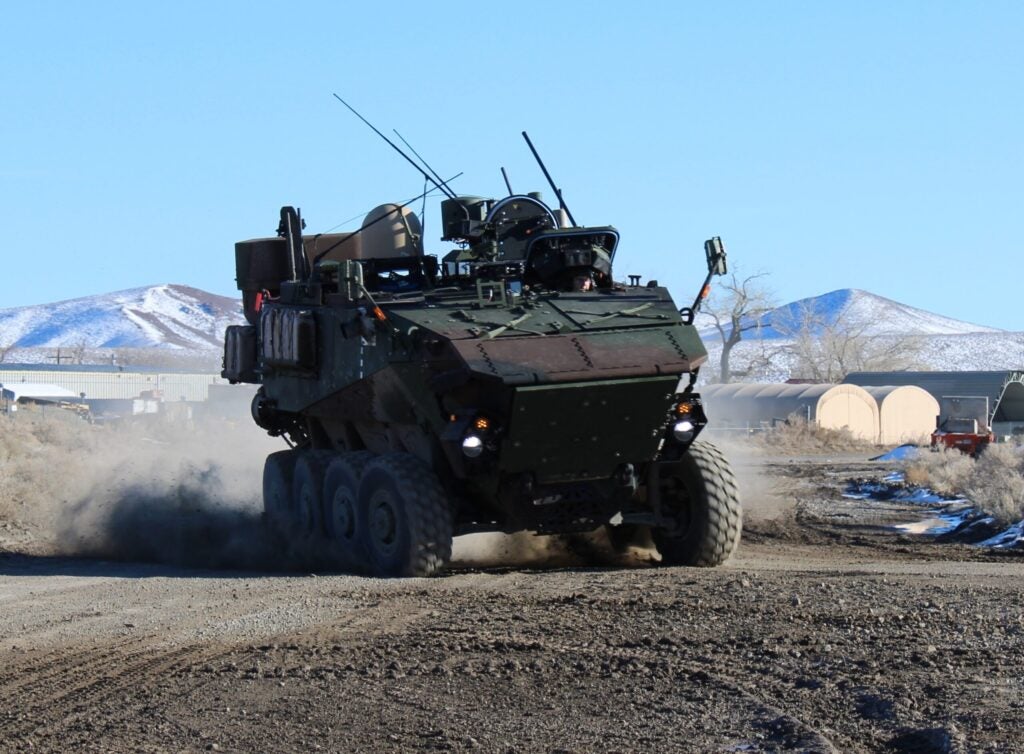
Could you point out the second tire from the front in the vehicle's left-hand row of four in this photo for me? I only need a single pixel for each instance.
(342, 510)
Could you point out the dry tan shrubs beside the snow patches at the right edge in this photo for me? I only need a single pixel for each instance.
(995, 483)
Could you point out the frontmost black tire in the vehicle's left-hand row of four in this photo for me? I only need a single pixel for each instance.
(405, 518)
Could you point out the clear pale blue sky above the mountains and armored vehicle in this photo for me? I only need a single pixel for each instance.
(873, 146)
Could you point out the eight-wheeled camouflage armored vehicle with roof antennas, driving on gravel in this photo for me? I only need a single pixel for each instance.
(513, 386)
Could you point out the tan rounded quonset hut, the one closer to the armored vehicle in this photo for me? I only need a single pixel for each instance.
(755, 405)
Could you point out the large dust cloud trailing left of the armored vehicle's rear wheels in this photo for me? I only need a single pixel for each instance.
(155, 491)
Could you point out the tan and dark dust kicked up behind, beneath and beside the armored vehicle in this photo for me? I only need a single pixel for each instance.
(191, 495)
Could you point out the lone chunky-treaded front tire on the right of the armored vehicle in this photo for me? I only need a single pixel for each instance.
(700, 493)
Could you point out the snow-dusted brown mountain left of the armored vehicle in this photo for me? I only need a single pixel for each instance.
(167, 317)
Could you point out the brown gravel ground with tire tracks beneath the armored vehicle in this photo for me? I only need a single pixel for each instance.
(827, 633)
